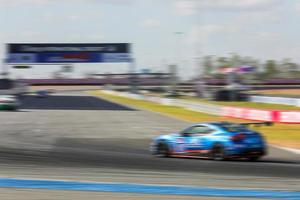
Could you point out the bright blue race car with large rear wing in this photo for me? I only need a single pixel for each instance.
(215, 140)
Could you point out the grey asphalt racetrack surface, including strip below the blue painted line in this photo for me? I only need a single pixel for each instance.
(72, 136)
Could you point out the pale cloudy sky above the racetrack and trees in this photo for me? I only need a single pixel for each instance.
(263, 29)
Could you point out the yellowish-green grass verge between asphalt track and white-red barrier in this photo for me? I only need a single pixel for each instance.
(285, 135)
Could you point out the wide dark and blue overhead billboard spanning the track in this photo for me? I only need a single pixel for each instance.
(40, 53)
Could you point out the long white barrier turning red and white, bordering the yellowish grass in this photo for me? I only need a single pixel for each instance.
(226, 111)
